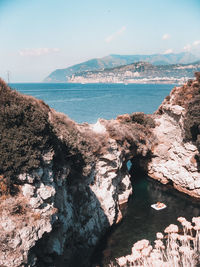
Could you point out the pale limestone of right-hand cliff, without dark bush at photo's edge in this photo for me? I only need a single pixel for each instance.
(175, 158)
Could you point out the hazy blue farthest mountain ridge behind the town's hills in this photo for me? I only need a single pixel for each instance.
(63, 75)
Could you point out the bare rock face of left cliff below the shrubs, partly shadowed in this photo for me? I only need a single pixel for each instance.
(62, 216)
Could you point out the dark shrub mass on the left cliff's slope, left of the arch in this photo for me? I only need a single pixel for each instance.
(29, 128)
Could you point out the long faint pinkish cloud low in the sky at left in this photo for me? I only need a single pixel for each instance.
(38, 51)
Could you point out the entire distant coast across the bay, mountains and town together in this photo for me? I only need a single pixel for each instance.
(170, 68)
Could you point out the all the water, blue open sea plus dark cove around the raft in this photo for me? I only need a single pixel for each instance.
(87, 103)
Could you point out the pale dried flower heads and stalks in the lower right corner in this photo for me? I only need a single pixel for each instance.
(176, 247)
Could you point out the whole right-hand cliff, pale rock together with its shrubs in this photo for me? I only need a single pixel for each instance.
(175, 157)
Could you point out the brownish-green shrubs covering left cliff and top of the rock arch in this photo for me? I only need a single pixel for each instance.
(27, 132)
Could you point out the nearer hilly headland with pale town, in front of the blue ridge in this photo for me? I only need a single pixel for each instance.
(140, 72)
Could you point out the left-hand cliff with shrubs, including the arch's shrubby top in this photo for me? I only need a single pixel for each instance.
(62, 184)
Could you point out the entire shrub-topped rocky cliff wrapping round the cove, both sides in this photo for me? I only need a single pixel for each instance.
(62, 184)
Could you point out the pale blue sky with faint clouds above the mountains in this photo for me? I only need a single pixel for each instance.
(39, 36)
